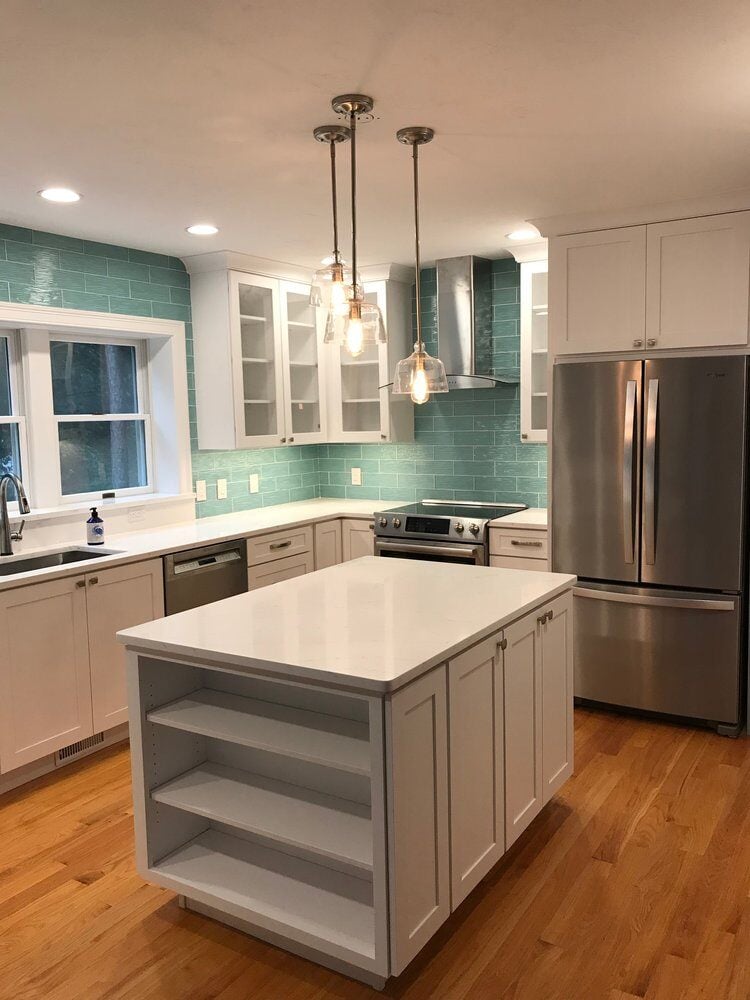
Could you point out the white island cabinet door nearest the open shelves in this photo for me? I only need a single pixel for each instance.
(418, 835)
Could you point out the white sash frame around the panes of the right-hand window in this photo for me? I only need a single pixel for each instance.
(143, 415)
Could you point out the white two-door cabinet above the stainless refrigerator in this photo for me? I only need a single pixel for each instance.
(664, 286)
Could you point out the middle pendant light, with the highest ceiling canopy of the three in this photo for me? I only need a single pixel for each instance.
(359, 323)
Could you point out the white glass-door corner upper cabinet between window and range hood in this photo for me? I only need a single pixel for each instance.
(264, 377)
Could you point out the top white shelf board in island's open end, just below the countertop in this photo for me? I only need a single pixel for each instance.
(293, 732)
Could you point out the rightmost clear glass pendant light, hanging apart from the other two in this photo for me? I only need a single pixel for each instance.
(419, 375)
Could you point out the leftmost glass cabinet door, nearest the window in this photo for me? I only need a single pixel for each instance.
(260, 405)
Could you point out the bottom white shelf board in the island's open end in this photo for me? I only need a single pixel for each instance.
(310, 903)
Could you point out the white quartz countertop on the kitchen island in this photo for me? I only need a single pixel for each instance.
(370, 624)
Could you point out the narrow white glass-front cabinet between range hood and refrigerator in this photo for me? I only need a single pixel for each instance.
(534, 351)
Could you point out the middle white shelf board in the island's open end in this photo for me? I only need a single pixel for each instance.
(331, 827)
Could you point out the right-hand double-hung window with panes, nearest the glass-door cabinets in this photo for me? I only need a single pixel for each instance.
(99, 405)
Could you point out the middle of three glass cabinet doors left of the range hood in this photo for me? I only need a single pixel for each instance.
(304, 388)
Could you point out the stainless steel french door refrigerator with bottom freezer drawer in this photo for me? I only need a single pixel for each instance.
(648, 510)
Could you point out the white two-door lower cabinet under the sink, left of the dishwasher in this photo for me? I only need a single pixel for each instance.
(62, 674)
